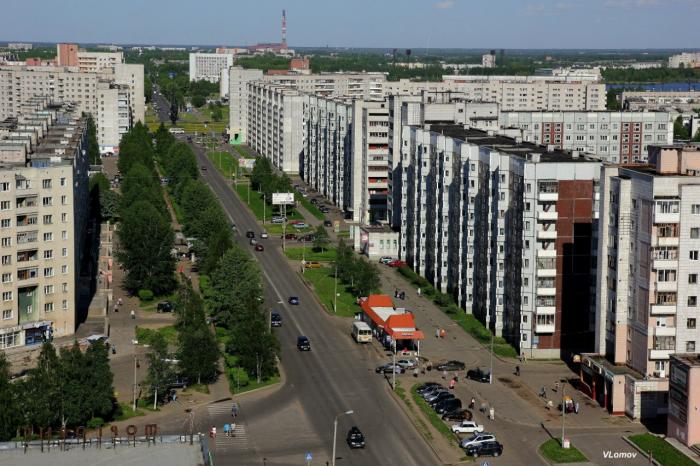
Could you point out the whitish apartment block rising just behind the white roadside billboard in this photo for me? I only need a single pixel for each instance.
(276, 124)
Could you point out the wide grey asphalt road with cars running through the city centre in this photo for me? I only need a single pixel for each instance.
(336, 376)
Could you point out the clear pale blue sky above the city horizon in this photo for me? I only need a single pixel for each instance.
(360, 23)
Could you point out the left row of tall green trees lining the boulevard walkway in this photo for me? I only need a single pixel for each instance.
(146, 239)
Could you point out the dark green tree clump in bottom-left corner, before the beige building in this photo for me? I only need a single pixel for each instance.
(65, 390)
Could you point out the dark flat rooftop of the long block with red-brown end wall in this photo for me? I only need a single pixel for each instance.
(510, 145)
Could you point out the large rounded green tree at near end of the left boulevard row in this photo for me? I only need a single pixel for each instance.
(145, 244)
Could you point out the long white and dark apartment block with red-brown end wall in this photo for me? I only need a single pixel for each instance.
(508, 228)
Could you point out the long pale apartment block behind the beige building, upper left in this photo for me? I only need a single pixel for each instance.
(21, 84)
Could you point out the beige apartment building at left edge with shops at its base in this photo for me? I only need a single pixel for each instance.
(43, 215)
